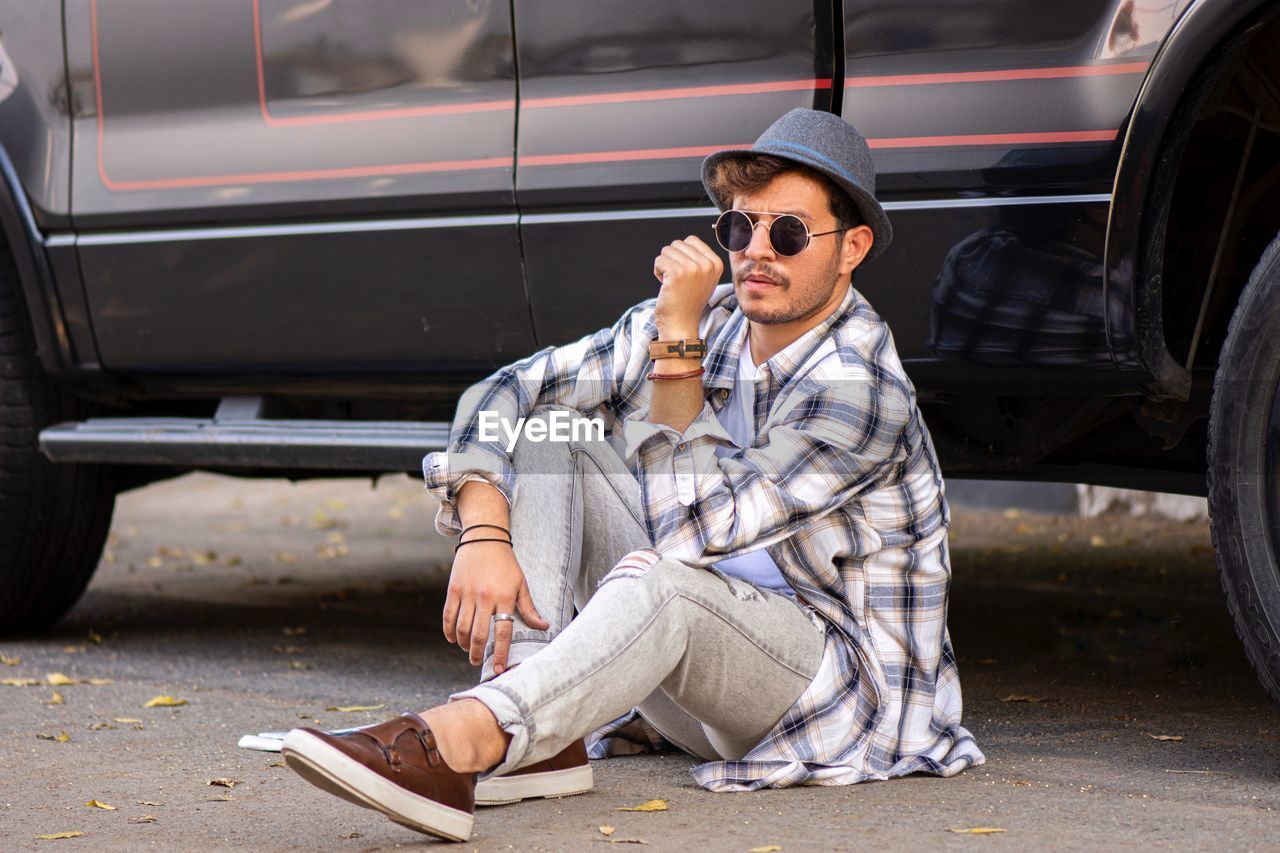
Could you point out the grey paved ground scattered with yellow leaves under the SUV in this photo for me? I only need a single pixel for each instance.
(263, 604)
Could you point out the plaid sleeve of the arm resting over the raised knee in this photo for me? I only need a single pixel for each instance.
(582, 375)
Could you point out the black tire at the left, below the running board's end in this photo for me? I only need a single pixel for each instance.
(54, 519)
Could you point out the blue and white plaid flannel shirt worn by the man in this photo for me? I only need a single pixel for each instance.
(844, 490)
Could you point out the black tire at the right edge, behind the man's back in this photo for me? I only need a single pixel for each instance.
(1245, 469)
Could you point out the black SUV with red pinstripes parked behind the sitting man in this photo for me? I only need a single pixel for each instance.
(284, 236)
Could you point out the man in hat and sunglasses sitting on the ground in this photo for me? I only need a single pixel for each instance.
(757, 555)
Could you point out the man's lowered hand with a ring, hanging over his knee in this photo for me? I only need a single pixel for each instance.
(487, 580)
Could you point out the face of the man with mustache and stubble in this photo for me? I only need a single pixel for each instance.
(778, 289)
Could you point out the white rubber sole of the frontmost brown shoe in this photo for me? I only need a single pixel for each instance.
(333, 772)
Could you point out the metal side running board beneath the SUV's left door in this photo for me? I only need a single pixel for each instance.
(239, 437)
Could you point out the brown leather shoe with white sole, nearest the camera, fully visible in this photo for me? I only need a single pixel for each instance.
(394, 768)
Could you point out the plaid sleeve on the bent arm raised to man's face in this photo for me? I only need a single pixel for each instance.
(833, 443)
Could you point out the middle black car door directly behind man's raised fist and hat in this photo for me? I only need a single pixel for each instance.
(619, 106)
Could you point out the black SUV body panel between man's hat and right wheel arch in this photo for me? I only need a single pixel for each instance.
(996, 131)
